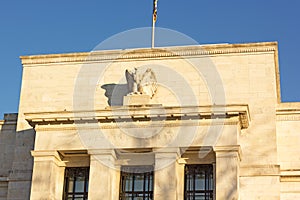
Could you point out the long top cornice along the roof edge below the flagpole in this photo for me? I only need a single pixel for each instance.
(156, 53)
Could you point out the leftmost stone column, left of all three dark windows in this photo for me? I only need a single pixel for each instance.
(48, 176)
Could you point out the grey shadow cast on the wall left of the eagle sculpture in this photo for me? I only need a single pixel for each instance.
(115, 93)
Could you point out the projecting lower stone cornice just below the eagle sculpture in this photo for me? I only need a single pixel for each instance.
(114, 116)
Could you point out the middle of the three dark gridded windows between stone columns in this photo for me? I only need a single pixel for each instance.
(136, 183)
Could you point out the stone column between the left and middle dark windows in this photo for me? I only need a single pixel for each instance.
(104, 176)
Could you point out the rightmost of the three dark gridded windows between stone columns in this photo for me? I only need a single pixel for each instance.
(198, 182)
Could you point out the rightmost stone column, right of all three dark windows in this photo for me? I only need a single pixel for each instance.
(227, 172)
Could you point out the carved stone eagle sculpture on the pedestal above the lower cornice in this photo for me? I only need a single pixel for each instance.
(141, 83)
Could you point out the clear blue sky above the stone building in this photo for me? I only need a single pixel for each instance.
(59, 26)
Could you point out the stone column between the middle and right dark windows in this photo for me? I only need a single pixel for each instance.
(166, 178)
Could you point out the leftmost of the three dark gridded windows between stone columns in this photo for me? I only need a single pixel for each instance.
(76, 183)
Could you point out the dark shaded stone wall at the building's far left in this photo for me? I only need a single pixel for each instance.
(16, 154)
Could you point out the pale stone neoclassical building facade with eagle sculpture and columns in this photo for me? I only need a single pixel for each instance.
(187, 122)
